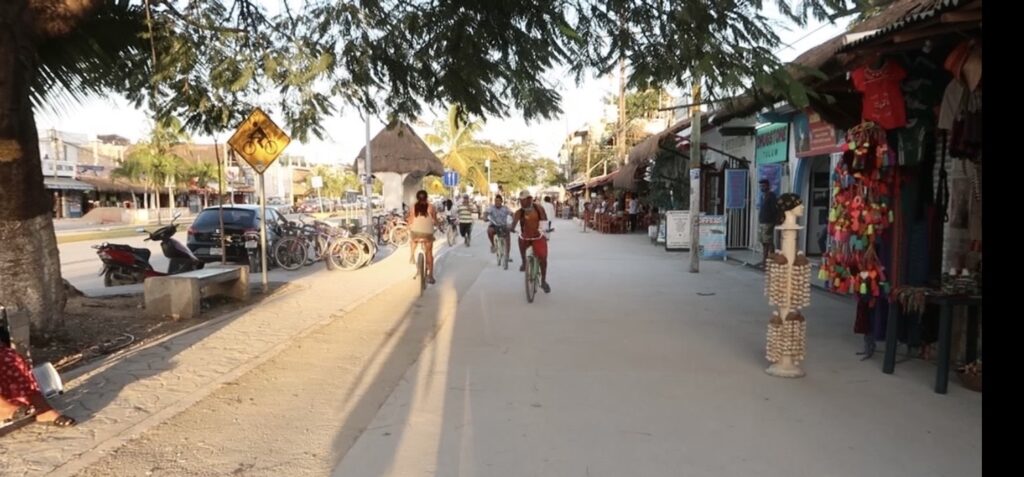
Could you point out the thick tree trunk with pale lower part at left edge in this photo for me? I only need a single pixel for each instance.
(30, 263)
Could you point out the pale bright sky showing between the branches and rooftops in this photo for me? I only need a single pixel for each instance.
(347, 129)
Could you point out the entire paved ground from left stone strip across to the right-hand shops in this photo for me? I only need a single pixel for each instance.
(631, 367)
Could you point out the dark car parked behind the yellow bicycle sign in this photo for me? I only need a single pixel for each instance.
(241, 223)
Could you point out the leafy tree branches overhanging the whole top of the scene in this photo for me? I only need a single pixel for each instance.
(215, 60)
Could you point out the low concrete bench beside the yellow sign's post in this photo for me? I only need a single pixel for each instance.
(181, 295)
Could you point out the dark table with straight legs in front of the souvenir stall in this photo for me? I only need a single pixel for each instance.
(947, 305)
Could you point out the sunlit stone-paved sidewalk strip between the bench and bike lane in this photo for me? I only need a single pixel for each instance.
(122, 398)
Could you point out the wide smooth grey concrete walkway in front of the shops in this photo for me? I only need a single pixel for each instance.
(634, 367)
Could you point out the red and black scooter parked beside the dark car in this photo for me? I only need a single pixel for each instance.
(124, 265)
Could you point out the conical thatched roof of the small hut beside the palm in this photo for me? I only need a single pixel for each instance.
(399, 149)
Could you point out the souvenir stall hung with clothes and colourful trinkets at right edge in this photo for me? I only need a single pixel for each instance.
(905, 222)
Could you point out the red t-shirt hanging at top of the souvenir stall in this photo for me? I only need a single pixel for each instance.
(883, 100)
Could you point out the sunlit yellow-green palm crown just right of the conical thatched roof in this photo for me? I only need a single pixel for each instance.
(454, 144)
